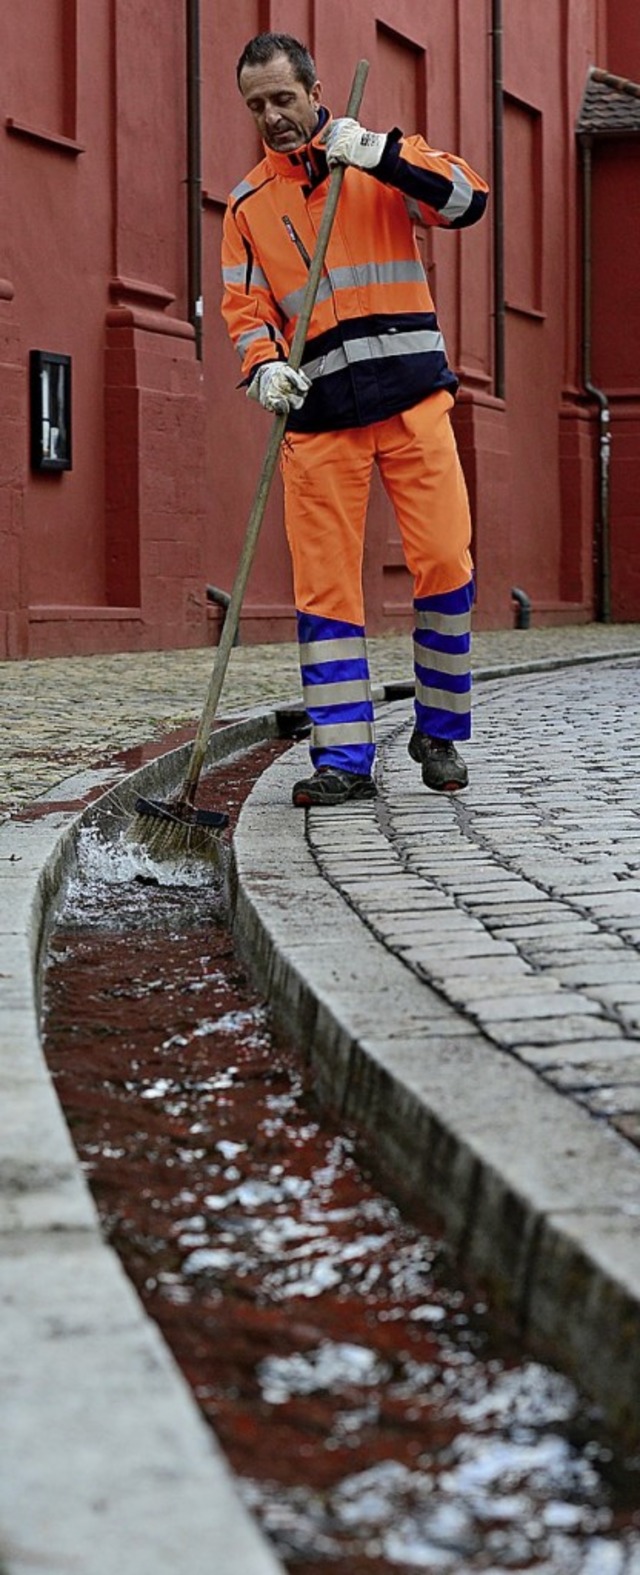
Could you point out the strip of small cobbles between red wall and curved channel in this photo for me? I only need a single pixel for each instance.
(58, 716)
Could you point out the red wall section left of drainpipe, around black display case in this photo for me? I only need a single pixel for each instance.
(92, 168)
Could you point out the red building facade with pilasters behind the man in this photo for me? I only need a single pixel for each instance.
(130, 458)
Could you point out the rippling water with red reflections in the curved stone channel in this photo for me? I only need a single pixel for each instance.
(378, 1418)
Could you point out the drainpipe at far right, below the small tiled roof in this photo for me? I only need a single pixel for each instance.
(605, 451)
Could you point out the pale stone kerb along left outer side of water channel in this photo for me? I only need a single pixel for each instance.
(113, 1467)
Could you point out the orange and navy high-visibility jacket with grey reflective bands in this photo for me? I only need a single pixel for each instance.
(374, 346)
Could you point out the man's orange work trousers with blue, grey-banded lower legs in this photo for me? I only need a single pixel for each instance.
(327, 480)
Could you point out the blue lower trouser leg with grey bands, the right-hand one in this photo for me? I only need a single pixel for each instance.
(442, 654)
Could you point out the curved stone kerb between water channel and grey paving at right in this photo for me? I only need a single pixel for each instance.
(450, 1117)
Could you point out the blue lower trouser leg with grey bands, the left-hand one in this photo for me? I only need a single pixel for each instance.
(335, 672)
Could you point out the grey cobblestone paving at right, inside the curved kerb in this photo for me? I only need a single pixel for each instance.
(534, 880)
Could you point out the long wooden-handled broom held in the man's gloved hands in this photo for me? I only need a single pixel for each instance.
(176, 828)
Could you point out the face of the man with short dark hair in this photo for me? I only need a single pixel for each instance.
(285, 111)
